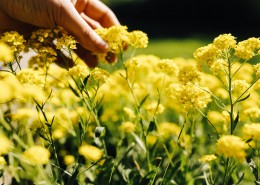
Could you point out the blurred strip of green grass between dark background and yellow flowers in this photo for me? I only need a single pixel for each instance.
(171, 48)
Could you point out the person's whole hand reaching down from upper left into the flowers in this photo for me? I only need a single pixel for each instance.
(78, 17)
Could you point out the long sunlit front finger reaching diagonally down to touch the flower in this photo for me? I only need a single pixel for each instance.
(68, 18)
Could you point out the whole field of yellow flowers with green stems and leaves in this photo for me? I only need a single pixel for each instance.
(153, 121)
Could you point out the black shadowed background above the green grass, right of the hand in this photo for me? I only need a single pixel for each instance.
(191, 18)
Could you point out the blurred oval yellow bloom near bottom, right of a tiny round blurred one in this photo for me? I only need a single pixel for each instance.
(90, 152)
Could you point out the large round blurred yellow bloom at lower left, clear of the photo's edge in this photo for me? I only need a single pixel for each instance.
(37, 155)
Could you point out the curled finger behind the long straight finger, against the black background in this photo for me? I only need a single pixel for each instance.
(97, 11)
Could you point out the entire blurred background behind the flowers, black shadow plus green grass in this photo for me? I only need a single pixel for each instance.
(178, 27)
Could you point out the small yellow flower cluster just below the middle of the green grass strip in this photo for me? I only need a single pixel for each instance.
(168, 66)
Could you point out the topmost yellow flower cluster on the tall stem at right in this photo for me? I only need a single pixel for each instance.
(224, 41)
